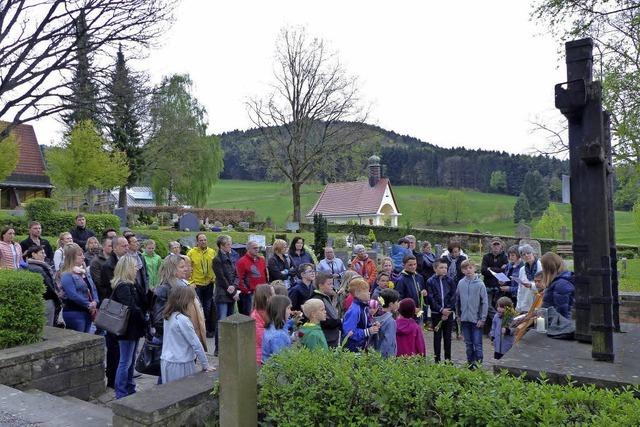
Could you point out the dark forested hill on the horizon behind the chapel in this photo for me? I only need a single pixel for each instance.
(406, 161)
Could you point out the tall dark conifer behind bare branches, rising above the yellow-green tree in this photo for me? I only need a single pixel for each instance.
(83, 101)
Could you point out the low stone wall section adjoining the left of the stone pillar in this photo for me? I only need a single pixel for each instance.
(185, 402)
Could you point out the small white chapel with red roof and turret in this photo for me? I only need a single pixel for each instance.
(364, 202)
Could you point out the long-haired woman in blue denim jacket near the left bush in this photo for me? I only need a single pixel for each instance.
(80, 301)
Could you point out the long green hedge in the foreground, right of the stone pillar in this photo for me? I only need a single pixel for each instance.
(299, 387)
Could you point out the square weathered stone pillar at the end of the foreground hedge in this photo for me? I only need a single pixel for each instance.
(237, 371)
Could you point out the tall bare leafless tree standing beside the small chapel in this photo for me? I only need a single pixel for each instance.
(311, 115)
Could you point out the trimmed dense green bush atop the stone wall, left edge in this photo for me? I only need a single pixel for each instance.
(21, 308)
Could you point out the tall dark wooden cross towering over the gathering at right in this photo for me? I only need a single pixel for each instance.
(580, 100)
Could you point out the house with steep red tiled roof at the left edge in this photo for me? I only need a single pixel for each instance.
(29, 178)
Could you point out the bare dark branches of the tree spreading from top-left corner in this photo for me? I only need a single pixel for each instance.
(38, 47)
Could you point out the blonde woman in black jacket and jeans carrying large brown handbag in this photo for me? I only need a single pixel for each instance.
(126, 292)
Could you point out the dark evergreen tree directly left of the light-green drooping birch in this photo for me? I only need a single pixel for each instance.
(123, 122)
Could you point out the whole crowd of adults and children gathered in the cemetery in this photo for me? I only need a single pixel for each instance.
(356, 305)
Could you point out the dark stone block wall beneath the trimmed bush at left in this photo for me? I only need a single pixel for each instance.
(65, 363)
